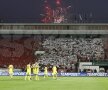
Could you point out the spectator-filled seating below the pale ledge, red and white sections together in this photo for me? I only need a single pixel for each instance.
(64, 51)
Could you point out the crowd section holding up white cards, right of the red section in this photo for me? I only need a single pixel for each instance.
(67, 52)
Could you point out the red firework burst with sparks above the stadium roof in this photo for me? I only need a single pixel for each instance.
(54, 15)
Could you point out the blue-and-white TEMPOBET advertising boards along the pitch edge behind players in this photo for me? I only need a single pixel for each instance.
(60, 74)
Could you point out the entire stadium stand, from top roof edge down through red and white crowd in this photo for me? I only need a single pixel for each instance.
(65, 49)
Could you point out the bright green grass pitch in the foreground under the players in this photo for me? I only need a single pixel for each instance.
(62, 83)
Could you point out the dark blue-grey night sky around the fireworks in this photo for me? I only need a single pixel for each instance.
(29, 10)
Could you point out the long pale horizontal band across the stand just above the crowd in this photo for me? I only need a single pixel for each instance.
(53, 31)
